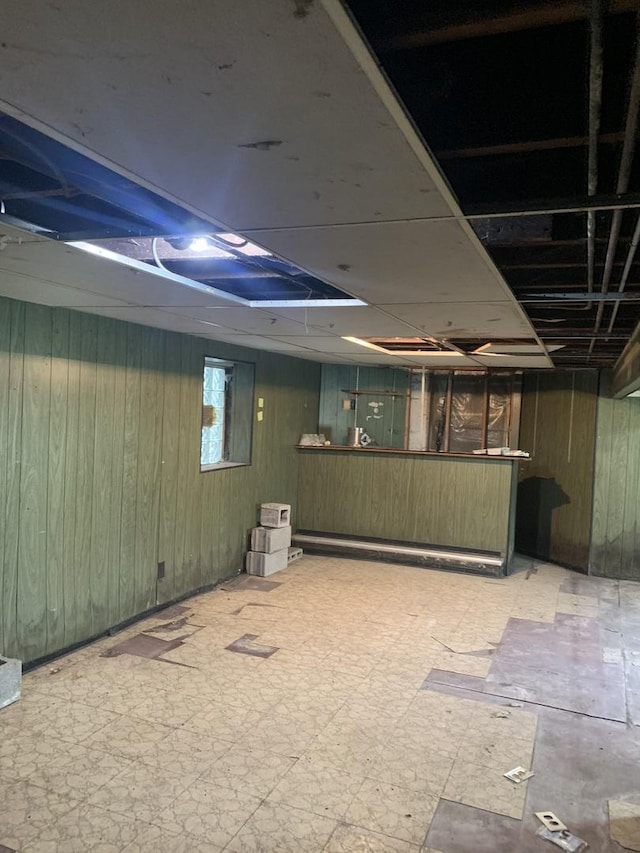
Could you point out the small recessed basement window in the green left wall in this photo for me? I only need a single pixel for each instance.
(227, 414)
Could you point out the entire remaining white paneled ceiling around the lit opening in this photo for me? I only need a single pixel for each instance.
(268, 117)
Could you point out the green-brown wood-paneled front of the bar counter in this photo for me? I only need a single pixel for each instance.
(429, 499)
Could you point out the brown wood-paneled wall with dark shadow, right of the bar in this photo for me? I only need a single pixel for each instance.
(557, 425)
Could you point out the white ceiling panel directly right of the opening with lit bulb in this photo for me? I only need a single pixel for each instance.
(395, 261)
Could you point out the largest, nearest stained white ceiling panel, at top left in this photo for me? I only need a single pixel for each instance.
(247, 111)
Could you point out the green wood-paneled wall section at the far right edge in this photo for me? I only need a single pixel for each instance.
(615, 545)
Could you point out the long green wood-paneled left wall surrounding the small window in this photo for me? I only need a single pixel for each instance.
(100, 473)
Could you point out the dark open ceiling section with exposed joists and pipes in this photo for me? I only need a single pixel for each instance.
(531, 111)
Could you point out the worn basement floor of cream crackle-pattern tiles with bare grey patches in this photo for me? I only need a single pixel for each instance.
(339, 706)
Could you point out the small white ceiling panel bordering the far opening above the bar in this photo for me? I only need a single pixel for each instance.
(490, 320)
